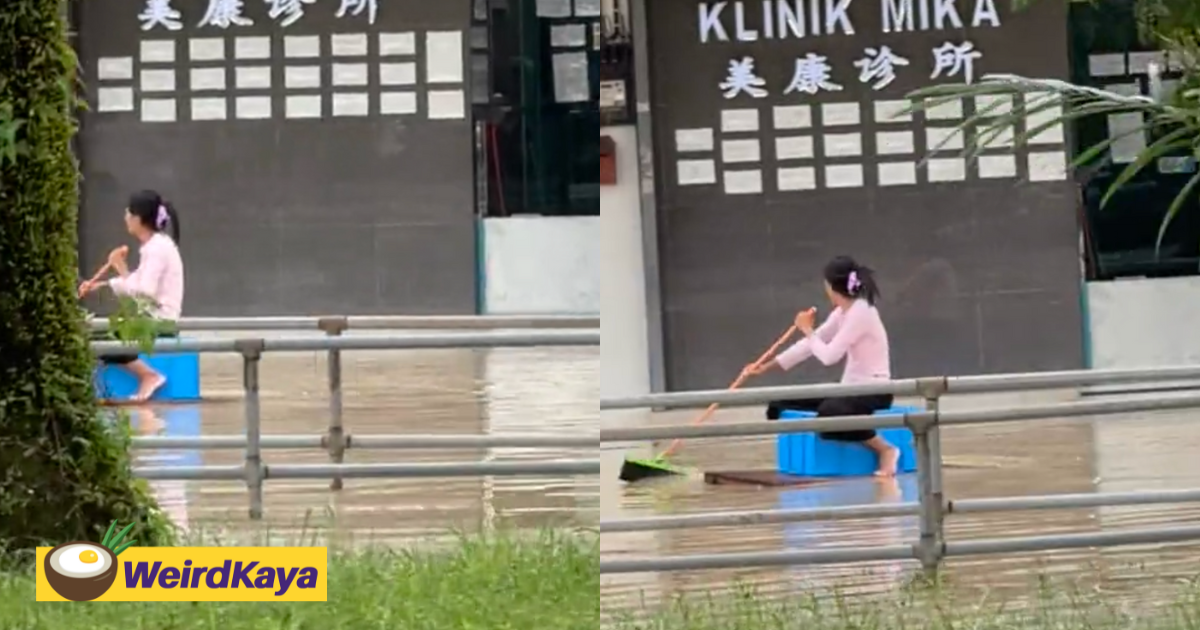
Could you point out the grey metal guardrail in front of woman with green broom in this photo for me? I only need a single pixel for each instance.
(932, 508)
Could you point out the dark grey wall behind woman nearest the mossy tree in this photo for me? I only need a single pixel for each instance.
(286, 217)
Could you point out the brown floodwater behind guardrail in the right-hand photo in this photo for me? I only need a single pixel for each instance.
(1018, 459)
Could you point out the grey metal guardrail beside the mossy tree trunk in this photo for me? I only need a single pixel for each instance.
(255, 472)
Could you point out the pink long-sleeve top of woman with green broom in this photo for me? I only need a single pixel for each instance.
(857, 335)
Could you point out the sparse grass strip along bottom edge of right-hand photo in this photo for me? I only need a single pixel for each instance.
(1052, 608)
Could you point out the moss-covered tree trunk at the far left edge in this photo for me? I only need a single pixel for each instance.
(64, 470)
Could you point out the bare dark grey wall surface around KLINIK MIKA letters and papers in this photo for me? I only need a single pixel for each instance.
(979, 275)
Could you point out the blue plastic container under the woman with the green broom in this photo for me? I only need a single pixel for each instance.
(808, 455)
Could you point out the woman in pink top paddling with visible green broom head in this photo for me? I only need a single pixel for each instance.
(853, 332)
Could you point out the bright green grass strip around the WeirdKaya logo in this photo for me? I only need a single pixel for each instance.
(499, 583)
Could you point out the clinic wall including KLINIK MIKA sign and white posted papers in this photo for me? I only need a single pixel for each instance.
(775, 152)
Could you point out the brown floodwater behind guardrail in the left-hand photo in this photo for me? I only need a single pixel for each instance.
(541, 391)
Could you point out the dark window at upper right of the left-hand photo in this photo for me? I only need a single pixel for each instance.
(536, 68)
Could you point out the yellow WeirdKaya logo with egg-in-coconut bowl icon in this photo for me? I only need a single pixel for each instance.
(87, 572)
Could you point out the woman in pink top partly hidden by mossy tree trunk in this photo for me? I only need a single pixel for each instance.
(158, 280)
